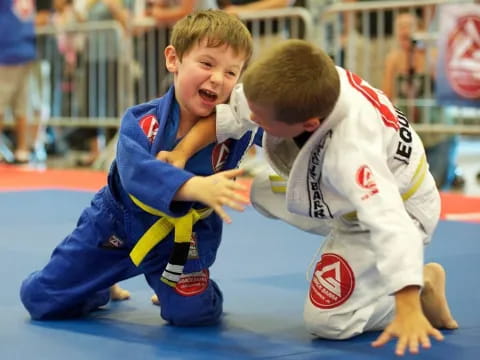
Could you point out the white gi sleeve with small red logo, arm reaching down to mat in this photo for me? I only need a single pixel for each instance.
(359, 172)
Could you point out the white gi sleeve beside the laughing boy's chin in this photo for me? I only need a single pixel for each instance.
(233, 119)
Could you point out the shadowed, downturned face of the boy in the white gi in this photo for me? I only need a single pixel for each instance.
(264, 116)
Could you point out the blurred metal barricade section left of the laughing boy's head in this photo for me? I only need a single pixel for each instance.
(89, 72)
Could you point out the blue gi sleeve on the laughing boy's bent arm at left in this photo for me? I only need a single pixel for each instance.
(152, 182)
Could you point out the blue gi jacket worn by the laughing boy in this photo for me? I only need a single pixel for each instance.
(147, 129)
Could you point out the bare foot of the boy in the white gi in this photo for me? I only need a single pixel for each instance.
(434, 300)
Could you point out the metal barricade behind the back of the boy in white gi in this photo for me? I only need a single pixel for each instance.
(359, 35)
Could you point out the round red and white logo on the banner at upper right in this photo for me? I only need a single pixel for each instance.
(462, 59)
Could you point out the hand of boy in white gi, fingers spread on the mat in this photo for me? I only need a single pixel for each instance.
(411, 327)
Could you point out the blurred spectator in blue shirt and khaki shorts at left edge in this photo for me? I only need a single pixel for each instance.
(17, 51)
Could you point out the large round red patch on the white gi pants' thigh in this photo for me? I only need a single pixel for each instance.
(332, 283)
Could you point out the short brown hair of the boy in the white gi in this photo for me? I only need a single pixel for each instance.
(296, 78)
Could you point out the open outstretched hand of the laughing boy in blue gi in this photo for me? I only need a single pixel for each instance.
(216, 191)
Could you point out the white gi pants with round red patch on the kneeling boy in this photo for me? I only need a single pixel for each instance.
(349, 264)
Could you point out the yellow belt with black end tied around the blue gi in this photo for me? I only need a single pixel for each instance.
(160, 229)
